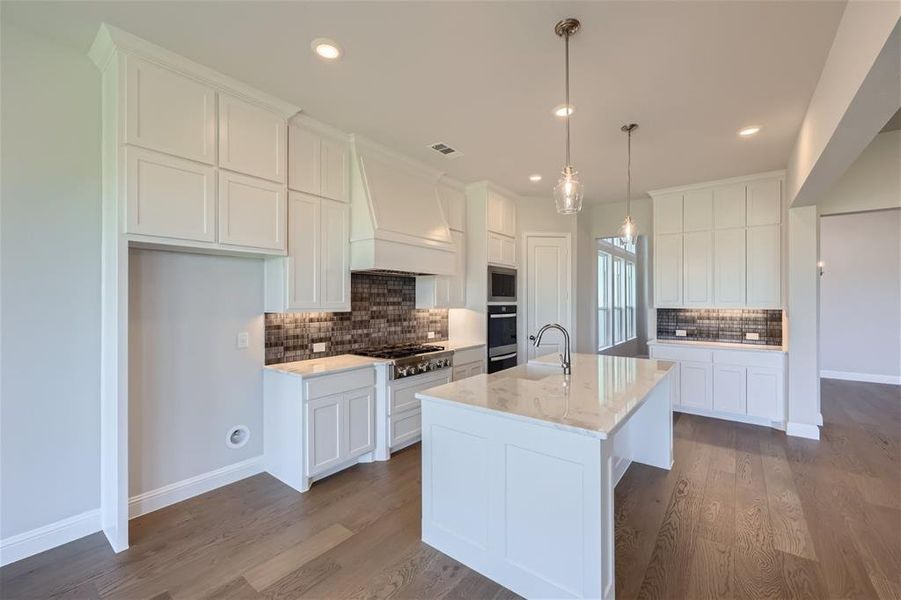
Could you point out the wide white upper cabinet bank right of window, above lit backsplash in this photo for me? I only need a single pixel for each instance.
(719, 244)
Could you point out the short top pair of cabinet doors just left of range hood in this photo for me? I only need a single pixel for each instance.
(318, 163)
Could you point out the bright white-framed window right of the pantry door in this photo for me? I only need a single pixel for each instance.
(616, 293)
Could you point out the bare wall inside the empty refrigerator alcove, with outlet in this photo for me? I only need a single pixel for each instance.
(188, 382)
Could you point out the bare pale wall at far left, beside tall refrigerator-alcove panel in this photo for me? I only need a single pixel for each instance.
(50, 262)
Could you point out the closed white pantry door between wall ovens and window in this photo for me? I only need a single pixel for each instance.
(548, 281)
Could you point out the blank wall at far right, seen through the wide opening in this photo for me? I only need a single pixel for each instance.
(860, 295)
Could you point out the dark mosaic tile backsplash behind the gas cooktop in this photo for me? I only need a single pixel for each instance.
(383, 312)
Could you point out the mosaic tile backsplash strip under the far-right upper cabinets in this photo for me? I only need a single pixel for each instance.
(721, 325)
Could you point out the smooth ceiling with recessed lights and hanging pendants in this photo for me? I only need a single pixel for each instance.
(484, 76)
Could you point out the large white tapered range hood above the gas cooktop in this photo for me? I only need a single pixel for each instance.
(397, 224)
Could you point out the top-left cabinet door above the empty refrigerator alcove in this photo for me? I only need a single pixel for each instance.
(169, 112)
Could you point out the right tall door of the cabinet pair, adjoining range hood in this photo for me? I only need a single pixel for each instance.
(335, 275)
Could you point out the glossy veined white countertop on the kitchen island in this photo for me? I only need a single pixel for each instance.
(600, 394)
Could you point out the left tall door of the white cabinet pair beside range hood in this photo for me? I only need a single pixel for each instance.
(304, 288)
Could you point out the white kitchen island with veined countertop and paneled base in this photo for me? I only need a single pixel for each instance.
(518, 467)
